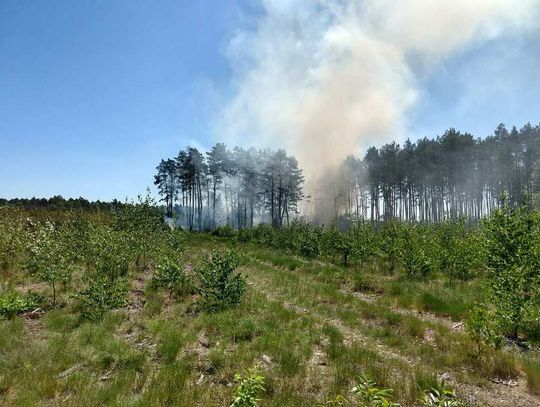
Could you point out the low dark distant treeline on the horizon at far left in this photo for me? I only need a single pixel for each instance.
(59, 203)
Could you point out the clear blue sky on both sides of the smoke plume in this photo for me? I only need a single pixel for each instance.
(94, 93)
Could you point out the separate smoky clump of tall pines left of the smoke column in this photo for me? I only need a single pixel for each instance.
(235, 187)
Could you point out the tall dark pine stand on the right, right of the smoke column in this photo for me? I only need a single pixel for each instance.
(452, 176)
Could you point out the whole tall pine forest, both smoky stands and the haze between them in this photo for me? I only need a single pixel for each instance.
(452, 176)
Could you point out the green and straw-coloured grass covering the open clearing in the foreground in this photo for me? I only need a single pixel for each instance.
(310, 327)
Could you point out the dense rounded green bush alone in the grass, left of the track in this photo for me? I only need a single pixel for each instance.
(218, 284)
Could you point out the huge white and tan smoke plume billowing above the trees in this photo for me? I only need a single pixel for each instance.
(324, 78)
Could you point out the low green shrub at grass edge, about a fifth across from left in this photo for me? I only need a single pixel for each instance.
(101, 295)
